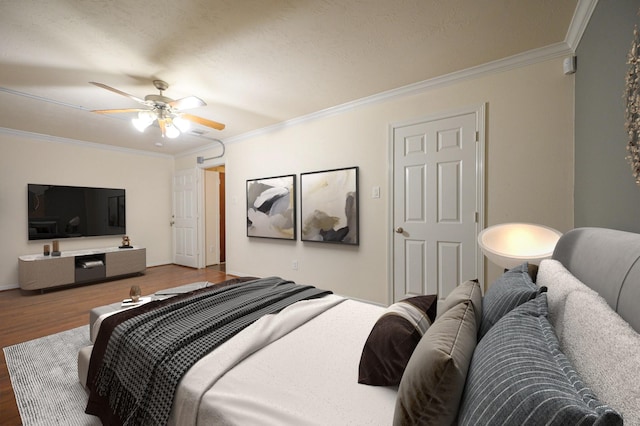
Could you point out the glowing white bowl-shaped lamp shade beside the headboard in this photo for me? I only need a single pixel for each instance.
(511, 244)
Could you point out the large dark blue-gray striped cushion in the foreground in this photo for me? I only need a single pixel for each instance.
(518, 376)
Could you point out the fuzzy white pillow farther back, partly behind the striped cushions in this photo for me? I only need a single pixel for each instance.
(560, 283)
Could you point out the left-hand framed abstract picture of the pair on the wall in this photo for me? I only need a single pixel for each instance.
(271, 207)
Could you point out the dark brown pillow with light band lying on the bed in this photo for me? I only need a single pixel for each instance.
(393, 338)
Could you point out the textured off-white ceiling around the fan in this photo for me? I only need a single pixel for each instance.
(255, 63)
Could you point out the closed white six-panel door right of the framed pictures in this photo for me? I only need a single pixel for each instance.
(437, 203)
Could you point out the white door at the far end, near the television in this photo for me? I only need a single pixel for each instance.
(185, 218)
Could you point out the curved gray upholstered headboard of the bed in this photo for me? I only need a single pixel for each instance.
(608, 261)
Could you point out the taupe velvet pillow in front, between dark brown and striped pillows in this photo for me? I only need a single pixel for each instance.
(433, 382)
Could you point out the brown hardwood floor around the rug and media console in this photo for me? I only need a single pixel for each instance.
(29, 315)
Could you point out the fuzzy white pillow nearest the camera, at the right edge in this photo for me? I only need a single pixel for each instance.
(605, 352)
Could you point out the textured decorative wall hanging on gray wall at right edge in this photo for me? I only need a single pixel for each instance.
(632, 110)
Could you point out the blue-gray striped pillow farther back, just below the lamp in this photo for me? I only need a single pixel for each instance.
(511, 289)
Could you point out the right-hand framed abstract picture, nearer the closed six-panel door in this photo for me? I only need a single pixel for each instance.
(329, 206)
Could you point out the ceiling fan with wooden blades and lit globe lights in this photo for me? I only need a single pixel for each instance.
(168, 112)
